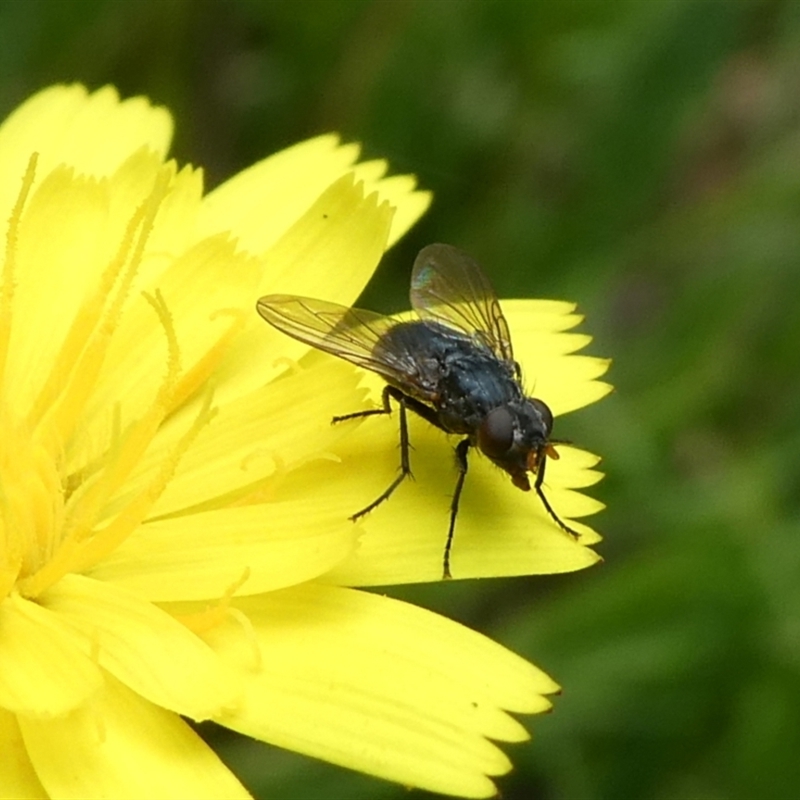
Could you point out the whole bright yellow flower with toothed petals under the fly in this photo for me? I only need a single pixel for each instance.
(174, 537)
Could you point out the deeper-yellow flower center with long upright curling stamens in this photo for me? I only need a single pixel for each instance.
(52, 522)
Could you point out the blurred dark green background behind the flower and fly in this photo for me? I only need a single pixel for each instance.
(640, 158)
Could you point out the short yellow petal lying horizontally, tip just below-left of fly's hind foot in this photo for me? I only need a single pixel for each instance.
(200, 556)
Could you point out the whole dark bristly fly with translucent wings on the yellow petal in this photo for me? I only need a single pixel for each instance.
(453, 366)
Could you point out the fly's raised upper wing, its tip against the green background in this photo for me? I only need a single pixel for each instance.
(449, 287)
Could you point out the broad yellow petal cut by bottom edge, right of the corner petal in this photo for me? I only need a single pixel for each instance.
(121, 746)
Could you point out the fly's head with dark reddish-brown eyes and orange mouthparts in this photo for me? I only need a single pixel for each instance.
(516, 438)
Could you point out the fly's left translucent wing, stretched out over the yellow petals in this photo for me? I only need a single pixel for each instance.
(349, 333)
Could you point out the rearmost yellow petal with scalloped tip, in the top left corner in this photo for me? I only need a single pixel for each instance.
(65, 125)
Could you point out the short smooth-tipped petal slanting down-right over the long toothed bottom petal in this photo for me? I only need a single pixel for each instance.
(143, 647)
